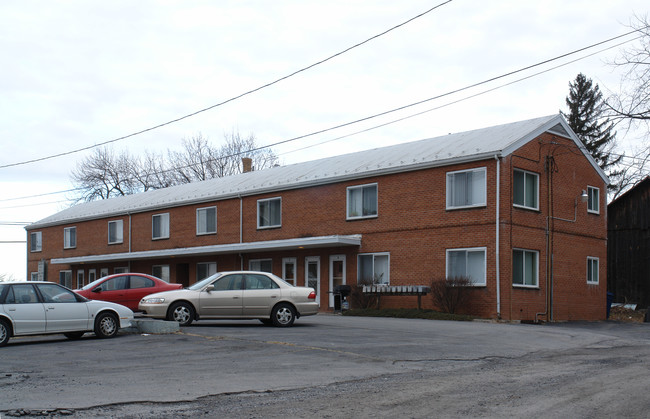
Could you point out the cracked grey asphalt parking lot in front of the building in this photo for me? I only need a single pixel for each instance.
(333, 366)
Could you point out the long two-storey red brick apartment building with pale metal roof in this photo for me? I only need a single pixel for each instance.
(518, 208)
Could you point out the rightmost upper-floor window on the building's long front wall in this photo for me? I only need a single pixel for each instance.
(466, 188)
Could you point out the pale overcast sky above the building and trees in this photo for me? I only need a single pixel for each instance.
(78, 73)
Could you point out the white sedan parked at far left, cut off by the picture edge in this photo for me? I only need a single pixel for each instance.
(37, 308)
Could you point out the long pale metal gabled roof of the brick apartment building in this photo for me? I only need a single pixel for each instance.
(450, 149)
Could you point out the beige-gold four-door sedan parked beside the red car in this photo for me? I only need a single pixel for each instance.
(234, 295)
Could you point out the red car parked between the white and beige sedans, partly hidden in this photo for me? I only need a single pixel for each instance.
(126, 289)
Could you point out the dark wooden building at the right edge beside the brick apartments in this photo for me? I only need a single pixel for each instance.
(628, 252)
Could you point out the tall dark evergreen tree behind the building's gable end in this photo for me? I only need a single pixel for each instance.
(586, 118)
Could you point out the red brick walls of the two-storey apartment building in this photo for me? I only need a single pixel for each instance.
(413, 225)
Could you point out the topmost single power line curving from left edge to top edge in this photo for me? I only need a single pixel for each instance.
(232, 98)
